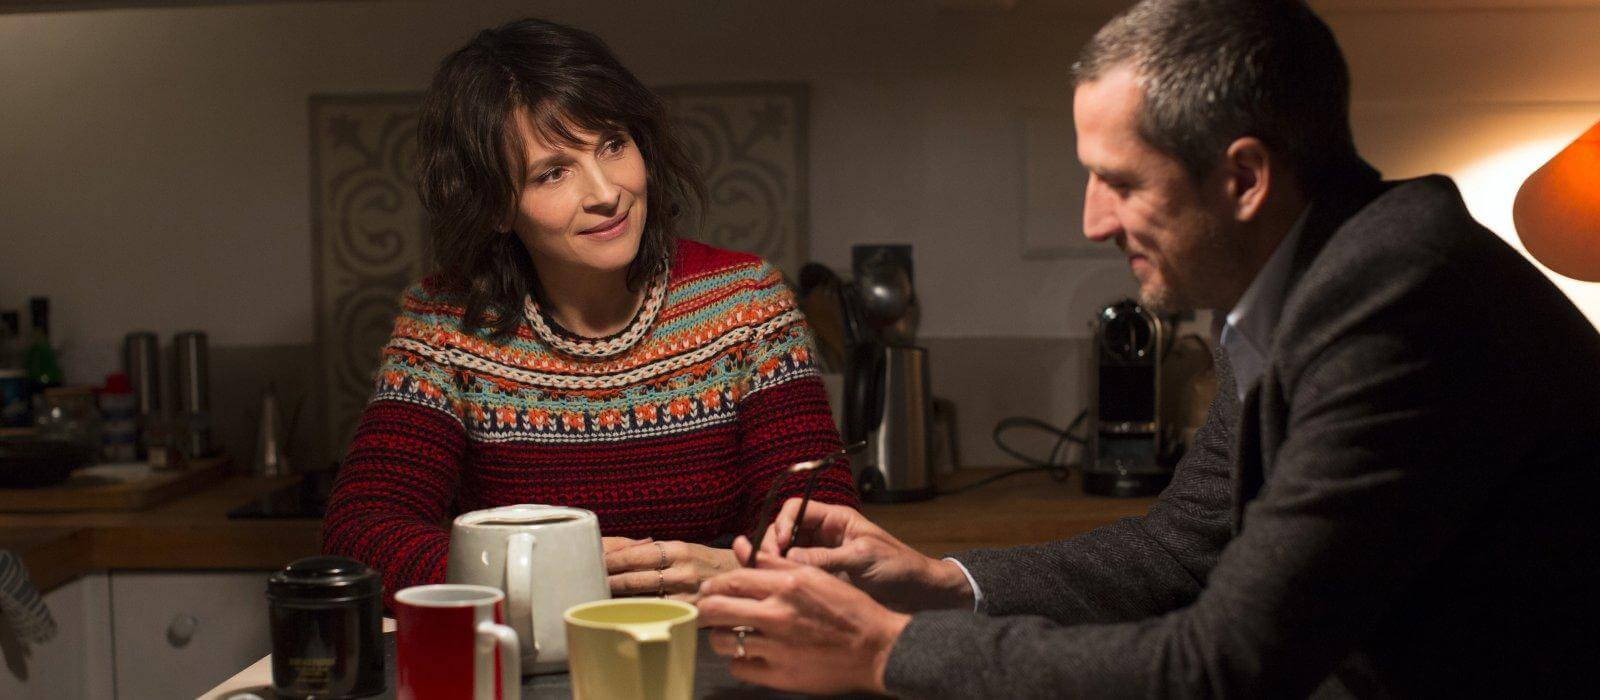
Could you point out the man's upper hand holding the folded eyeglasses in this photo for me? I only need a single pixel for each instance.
(842, 541)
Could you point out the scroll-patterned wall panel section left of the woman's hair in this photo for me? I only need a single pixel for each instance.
(369, 241)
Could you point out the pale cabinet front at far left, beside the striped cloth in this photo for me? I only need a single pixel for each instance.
(73, 666)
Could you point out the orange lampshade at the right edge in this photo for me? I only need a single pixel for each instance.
(1558, 210)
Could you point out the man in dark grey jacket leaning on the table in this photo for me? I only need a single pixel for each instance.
(1402, 504)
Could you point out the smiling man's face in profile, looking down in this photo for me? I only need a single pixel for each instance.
(1174, 229)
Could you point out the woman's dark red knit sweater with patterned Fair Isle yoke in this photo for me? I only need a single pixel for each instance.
(671, 429)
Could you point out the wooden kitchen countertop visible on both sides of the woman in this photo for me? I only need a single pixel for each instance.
(194, 533)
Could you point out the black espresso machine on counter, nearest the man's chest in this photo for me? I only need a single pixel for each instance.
(1127, 451)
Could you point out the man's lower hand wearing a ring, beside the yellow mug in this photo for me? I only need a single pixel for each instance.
(812, 632)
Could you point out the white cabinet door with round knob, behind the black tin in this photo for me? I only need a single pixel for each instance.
(178, 635)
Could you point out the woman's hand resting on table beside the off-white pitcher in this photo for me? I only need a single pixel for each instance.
(674, 570)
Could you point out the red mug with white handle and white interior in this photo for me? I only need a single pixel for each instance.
(452, 643)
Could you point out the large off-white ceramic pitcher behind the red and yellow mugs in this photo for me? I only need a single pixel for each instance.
(546, 559)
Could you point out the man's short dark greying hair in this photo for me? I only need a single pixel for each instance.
(1215, 71)
